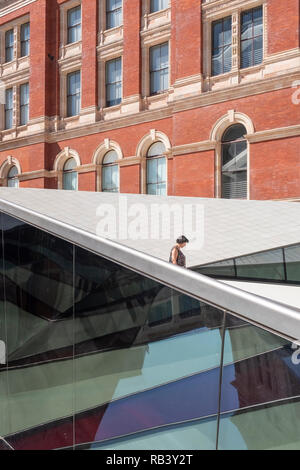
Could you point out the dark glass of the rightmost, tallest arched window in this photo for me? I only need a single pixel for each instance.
(234, 163)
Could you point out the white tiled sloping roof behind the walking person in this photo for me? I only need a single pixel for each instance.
(229, 228)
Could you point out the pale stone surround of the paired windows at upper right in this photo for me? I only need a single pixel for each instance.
(235, 10)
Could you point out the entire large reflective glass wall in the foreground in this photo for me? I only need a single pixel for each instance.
(101, 357)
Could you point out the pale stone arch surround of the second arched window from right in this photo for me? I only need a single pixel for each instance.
(142, 150)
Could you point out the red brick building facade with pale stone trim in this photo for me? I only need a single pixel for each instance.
(190, 116)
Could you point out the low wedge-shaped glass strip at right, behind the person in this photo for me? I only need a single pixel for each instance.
(280, 265)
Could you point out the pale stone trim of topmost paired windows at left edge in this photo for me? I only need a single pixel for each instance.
(15, 25)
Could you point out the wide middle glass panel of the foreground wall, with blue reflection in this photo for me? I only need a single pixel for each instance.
(140, 366)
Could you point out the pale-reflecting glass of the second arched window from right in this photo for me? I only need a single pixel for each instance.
(157, 170)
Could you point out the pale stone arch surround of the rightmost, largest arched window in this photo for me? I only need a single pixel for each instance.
(231, 118)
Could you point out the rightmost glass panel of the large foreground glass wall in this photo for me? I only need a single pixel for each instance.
(260, 391)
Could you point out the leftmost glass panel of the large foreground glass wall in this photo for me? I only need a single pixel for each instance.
(38, 272)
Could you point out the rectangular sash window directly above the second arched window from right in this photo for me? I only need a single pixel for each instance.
(159, 68)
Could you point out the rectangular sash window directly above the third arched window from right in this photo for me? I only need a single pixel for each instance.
(113, 81)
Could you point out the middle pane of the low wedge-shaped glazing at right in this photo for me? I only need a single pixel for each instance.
(267, 265)
